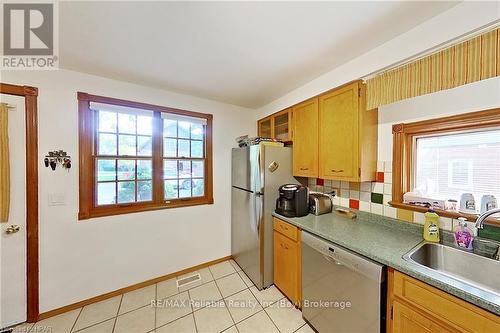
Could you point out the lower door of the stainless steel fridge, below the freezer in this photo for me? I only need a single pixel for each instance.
(246, 233)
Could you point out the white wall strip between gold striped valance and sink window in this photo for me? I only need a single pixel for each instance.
(477, 96)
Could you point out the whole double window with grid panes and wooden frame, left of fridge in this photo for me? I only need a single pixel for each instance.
(137, 157)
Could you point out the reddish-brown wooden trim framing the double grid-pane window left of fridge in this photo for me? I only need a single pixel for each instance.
(88, 208)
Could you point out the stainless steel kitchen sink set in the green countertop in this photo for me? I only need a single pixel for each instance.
(469, 268)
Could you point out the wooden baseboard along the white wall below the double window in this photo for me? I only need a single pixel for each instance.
(120, 291)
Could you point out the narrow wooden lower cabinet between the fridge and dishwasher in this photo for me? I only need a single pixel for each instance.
(287, 260)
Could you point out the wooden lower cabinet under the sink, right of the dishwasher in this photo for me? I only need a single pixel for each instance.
(418, 307)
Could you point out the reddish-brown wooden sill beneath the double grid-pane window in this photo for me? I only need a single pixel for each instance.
(135, 208)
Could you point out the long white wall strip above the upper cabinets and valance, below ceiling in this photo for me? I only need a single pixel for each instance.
(461, 19)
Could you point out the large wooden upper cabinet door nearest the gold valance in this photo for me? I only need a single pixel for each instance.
(339, 133)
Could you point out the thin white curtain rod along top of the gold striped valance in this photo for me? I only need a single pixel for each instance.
(438, 48)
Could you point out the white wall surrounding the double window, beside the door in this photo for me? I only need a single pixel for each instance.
(82, 259)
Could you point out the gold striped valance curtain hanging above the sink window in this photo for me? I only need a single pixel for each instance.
(472, 60)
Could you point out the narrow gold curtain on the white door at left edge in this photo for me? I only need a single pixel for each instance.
(4, 164)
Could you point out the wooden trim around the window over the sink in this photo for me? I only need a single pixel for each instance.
(403, 138)
